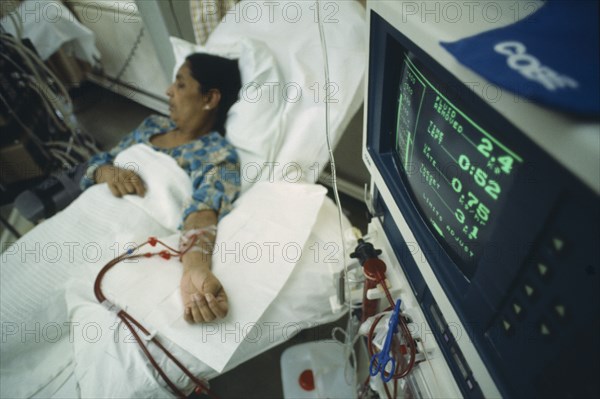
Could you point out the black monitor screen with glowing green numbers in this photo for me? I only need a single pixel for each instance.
(458, 172)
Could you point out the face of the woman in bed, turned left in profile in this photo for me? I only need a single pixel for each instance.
(185, 99)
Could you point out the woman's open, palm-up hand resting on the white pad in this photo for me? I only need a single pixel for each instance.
(203, 295)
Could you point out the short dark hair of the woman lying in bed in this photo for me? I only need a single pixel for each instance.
(214, 72)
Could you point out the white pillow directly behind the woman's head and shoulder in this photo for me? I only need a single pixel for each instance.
(254, 122)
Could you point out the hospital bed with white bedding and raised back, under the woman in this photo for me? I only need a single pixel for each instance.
(275, 252)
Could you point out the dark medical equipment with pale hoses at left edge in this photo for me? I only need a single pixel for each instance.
(40, 133)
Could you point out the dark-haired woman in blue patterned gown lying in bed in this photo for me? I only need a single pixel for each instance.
(206, 86)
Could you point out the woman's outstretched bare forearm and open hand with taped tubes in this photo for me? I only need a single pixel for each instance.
(203, 296)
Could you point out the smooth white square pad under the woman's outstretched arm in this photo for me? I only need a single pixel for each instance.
(257, 247)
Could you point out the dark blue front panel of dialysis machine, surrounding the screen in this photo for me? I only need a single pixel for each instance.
(532, 306)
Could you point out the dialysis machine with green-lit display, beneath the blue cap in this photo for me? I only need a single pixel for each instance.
(487, 212)
